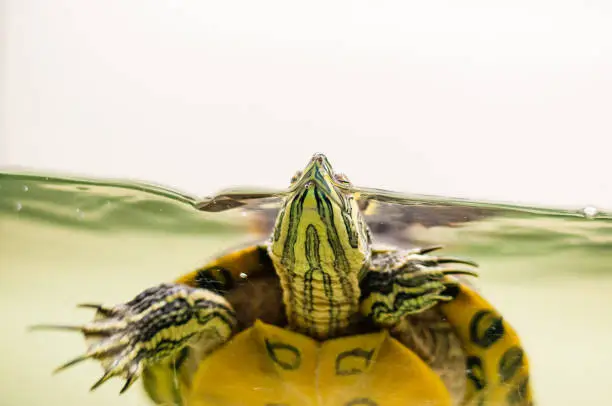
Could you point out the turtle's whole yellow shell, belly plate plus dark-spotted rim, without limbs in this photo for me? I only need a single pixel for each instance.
(268, 365)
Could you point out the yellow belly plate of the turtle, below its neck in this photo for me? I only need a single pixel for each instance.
(268, 365)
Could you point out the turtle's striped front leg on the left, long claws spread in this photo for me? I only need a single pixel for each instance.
(155, 325)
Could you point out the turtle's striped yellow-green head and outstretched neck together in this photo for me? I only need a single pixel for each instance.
(319, 247)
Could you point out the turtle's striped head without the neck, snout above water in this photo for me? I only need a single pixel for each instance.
(320, 227)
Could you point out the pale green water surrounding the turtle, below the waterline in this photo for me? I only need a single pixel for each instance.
(66, 241)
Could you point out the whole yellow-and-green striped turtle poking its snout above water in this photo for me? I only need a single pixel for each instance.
(314, 314)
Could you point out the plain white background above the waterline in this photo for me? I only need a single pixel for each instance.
(505, 100)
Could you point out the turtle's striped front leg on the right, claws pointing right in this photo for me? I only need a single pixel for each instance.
(401, 283)
